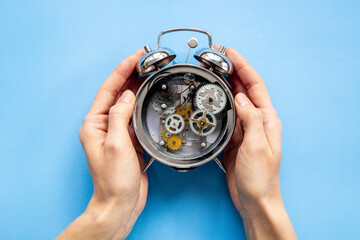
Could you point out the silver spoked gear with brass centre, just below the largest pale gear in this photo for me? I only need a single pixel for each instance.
(202, 122)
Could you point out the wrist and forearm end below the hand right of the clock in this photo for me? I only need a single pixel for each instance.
(267, 219)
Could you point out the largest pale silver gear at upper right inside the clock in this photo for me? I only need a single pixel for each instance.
(210, 97)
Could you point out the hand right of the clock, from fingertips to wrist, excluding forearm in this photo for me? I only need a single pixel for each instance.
(253, 155)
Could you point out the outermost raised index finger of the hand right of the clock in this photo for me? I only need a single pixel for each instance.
(252, 81)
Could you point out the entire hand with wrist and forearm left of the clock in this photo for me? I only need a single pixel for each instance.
(115, 159)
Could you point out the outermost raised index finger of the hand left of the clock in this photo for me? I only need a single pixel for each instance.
(108, 91)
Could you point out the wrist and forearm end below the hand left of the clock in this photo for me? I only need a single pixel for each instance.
(100, 221)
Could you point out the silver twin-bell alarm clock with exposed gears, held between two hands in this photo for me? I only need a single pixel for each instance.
(184, 114)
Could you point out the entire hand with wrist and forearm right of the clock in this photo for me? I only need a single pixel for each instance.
(253, 156)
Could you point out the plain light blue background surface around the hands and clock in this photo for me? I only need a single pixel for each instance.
(54, 55)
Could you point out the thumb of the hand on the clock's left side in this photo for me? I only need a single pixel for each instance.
(119, 117)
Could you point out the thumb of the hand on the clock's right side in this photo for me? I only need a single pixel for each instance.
(251, 121)
